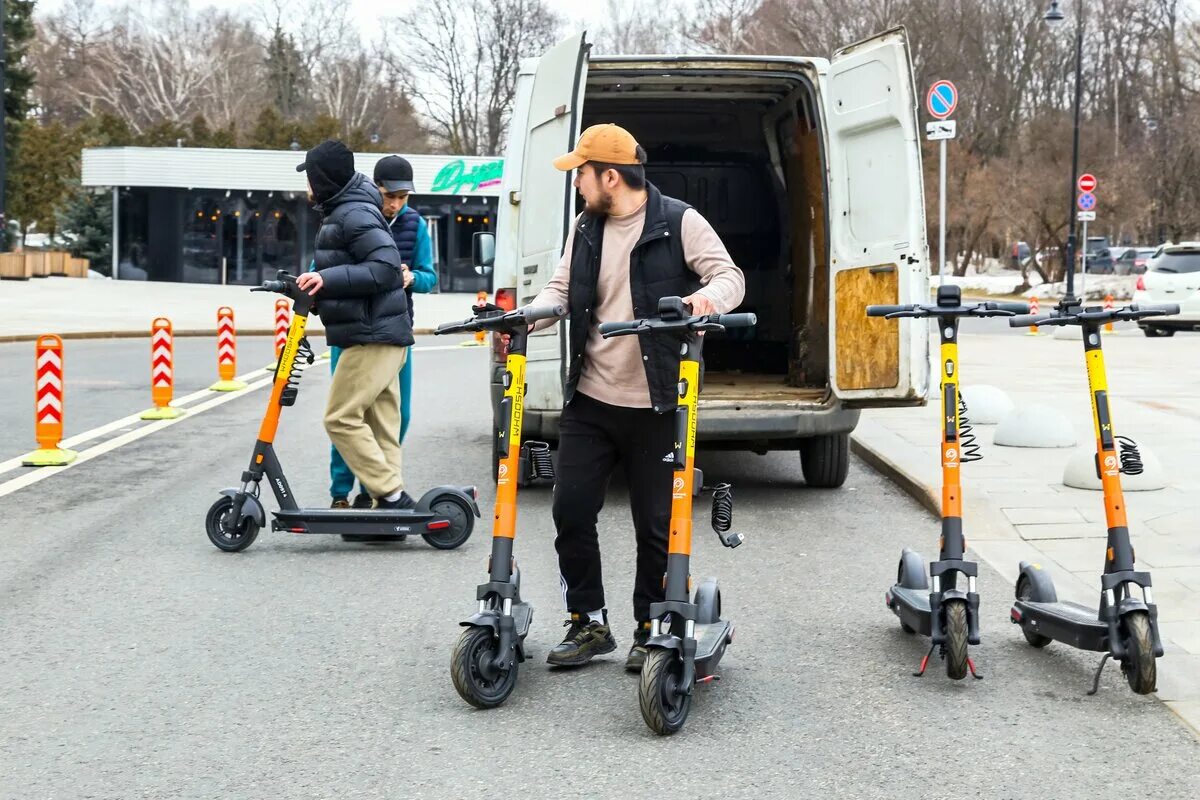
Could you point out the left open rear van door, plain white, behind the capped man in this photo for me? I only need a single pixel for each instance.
(545, 200)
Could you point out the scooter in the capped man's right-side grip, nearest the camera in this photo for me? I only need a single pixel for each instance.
(688, 636)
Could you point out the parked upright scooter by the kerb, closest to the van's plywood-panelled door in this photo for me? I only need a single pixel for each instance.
(947, 613)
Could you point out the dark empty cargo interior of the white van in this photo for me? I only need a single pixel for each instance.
(742, 148)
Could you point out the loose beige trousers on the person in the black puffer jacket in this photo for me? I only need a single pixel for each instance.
(363, 416)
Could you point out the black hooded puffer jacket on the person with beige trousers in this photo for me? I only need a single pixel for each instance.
(362, 300)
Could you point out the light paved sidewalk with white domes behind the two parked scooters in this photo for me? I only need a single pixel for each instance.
(1016, 506)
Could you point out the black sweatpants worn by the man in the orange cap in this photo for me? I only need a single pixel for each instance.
(595, 438)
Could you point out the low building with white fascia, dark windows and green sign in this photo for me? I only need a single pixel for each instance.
(205, 215)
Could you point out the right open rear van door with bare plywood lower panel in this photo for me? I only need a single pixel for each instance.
(879, 254)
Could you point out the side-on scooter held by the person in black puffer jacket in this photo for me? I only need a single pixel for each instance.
(443, 516)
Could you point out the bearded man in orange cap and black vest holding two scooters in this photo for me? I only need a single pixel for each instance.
(629, 248)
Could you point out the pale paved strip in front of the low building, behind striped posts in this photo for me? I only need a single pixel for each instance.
(94, 308)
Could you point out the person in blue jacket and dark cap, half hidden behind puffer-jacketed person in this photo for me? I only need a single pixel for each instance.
(394, 178)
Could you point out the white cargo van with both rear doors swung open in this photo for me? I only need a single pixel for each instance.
(811, 172)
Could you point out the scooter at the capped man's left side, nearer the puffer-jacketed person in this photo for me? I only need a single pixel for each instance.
(489, 653)
